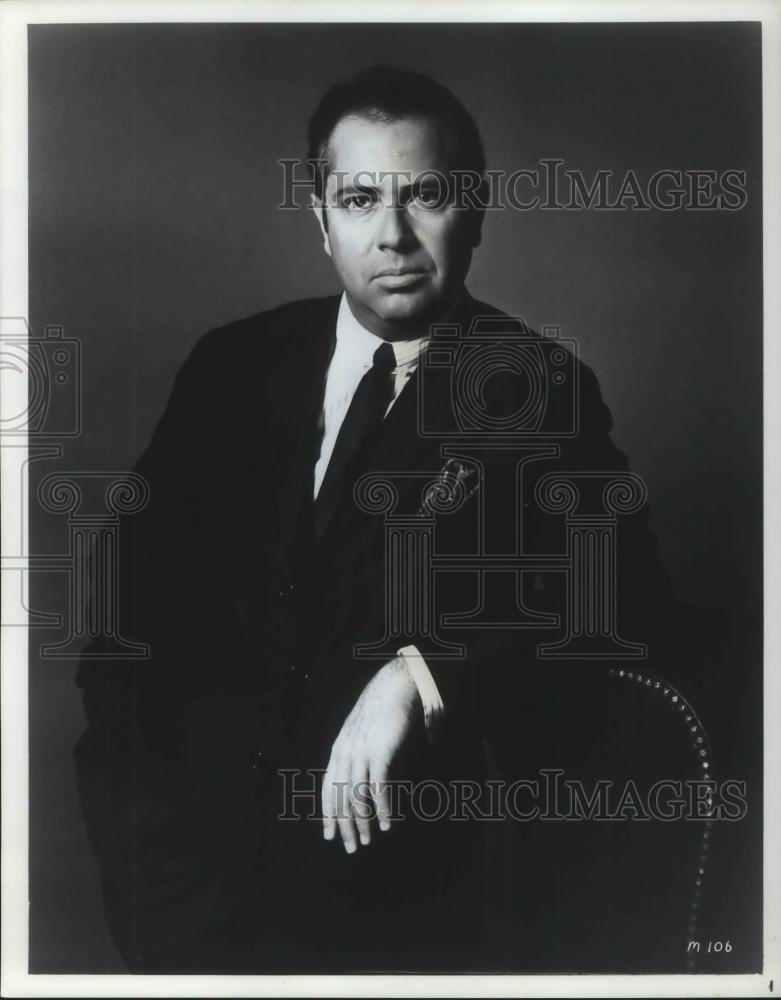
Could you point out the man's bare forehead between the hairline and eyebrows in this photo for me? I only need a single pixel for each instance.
(406, 145)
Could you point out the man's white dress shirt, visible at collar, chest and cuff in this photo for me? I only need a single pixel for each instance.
(353, 356)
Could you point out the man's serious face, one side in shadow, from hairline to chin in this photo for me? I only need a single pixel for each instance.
(401, 254)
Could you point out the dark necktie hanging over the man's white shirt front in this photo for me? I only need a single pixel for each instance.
(359, 427)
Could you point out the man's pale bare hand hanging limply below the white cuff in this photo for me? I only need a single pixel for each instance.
(386, 714)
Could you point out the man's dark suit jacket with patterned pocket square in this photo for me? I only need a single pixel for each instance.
(253, 626)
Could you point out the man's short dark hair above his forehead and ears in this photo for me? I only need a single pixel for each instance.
(386, 94)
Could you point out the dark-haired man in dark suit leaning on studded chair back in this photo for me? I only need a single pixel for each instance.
(261, 575)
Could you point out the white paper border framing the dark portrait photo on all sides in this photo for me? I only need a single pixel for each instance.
(15, 15)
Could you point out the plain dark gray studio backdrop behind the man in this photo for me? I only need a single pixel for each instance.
(153, 194)
